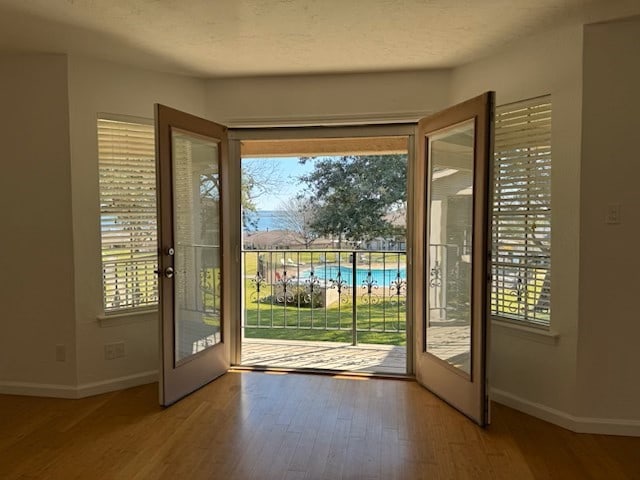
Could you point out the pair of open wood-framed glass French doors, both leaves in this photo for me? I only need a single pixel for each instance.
(449, 234)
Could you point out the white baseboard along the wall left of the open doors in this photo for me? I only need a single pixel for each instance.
(79, 391)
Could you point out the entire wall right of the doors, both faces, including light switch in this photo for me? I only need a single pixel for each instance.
(585, 378)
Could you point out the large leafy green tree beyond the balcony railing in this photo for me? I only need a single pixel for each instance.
(354, 195)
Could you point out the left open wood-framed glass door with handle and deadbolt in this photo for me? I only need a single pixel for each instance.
(191, 166)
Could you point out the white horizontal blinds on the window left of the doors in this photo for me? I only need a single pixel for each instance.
(126, 156)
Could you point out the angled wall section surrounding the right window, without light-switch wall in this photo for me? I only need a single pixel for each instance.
(530, 369)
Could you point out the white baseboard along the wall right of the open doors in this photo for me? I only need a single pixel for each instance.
(605, 426)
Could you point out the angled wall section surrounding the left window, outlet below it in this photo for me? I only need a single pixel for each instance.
(99, 87)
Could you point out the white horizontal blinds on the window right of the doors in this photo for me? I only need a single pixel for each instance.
(521, 244)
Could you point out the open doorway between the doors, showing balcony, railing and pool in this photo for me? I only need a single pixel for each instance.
(324, 254)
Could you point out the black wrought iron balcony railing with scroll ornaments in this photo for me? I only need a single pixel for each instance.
(350, 293)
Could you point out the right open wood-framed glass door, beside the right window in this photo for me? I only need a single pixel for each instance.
(454, 148)
